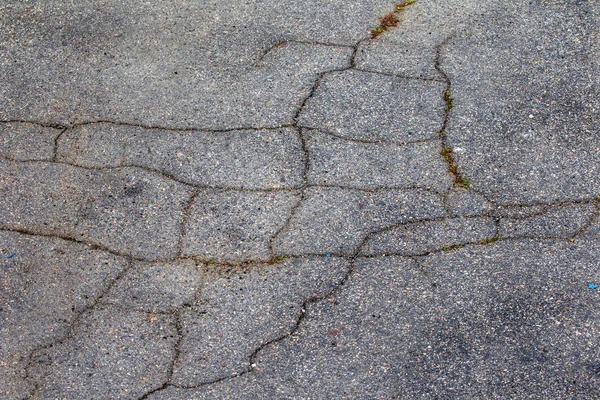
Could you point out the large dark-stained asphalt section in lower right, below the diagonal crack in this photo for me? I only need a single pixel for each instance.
(509, 320)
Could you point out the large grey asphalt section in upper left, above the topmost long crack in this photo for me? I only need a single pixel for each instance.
(146, 62)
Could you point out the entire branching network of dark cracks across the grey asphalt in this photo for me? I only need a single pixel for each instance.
(222, 266)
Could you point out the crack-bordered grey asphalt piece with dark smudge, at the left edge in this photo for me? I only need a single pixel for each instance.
(121, 209)
